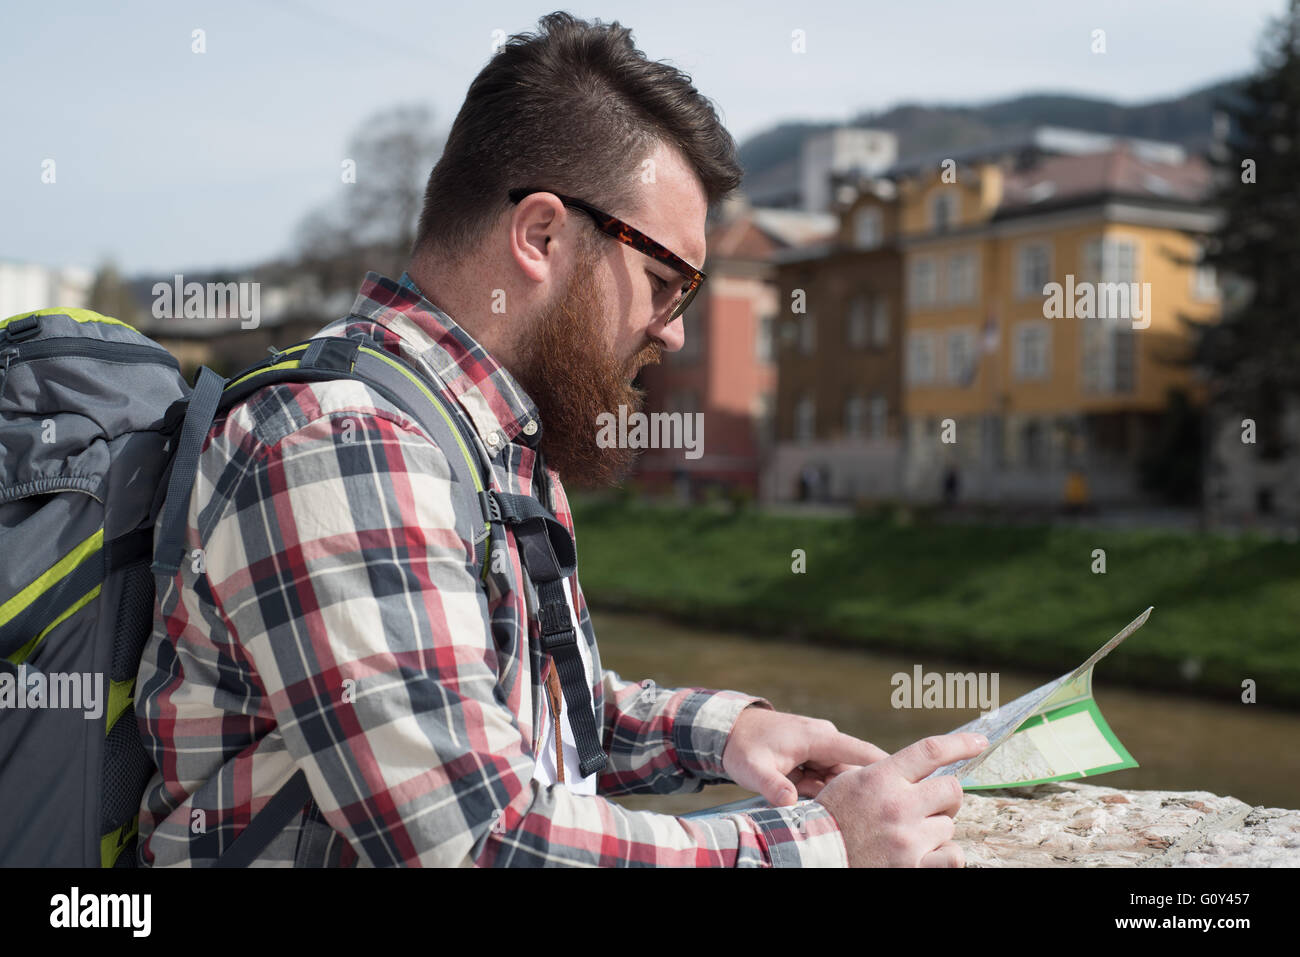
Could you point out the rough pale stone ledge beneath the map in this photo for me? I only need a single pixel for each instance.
(1072, 825)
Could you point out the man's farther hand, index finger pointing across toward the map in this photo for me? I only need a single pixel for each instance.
(787, 756)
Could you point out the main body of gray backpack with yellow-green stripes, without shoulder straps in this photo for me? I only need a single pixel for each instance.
(83, 452)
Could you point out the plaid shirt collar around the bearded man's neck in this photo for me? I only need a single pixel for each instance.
(497, 405)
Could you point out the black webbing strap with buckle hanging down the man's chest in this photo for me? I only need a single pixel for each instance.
(549, 557)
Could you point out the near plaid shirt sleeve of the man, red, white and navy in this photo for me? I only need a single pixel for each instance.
(336, 569)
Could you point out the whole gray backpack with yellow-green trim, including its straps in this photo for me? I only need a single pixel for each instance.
(99, 447)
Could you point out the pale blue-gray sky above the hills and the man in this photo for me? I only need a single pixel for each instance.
(167, 159)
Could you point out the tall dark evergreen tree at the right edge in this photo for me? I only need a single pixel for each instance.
(1253, 356)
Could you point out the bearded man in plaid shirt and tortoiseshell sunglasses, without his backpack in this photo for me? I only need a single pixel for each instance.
(335, 626)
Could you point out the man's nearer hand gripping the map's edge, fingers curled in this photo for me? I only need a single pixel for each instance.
(892, 819)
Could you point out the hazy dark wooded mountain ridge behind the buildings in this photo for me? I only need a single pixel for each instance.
(925, 129)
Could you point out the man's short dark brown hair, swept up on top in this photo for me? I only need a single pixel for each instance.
(575, 109)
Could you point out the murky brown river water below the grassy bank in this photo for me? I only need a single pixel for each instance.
(1181, 744)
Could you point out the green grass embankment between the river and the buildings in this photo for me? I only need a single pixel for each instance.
(1227, 609)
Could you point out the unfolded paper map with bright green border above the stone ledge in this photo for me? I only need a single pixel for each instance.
(1054, 734)
